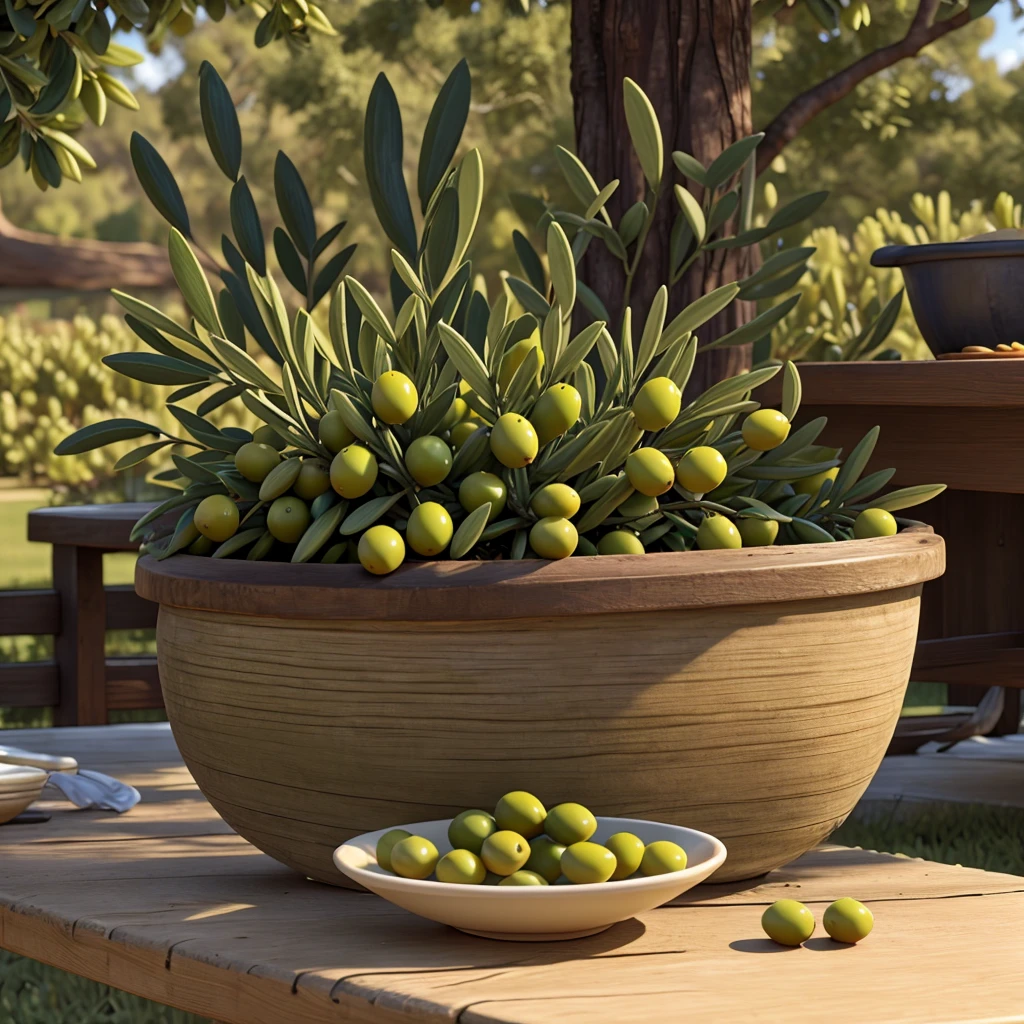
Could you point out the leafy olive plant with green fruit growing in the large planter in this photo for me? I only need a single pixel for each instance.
(460, 426)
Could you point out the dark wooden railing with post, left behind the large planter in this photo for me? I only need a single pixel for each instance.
(80, 684)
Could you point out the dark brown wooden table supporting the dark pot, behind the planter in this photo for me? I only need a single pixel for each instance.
(959, 423)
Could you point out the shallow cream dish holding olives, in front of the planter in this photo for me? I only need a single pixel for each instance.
(534, 914)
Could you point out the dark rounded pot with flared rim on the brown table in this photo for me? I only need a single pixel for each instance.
(963, 293)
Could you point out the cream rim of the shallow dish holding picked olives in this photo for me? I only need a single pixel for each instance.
(398, 884)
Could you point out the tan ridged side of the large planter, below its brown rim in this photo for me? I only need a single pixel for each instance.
(761, 723)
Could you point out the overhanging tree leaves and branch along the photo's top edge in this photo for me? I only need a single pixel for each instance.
(61, 63)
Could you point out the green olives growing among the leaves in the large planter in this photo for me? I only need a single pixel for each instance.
(298, 491)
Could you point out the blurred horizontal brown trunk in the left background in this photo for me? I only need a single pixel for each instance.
(31, 261)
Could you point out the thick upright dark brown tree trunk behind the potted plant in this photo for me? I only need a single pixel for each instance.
(693, 58)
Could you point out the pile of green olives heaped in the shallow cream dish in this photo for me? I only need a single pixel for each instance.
(523, 844)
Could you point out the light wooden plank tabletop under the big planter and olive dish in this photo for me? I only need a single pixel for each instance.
(167, 903)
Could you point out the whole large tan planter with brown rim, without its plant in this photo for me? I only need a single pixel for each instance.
(750, 695)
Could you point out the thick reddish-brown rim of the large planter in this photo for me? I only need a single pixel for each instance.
(532, 588)
